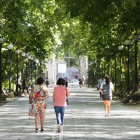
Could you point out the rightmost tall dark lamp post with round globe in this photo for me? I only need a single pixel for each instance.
(136, 38)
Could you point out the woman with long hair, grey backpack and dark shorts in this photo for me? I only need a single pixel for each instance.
(106, 88)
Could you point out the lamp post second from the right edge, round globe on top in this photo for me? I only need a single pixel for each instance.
(128, 42)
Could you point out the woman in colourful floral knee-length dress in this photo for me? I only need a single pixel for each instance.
(39, 97)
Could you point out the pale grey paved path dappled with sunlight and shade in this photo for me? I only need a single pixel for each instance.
(84, 119)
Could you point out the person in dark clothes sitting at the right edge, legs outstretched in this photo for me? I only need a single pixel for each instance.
(133, 96)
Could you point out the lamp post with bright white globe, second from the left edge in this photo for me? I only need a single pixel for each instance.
(10, 47)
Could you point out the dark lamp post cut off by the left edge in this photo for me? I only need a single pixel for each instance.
(1, 42)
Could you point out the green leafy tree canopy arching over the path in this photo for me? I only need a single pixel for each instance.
(90, 28)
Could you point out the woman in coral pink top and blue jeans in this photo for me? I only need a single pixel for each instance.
(59, 98)
